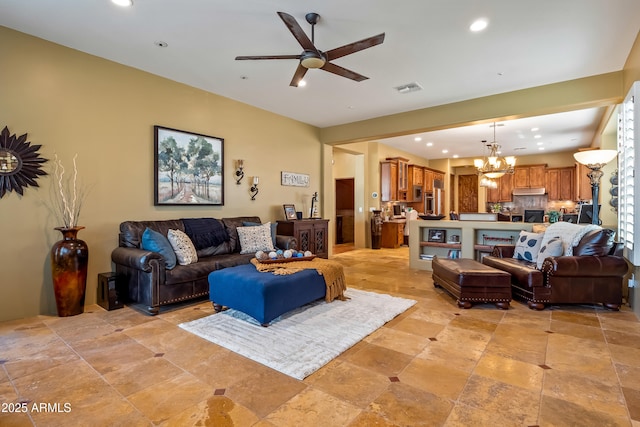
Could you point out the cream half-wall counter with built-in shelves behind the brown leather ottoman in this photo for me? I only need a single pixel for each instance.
(458, 239)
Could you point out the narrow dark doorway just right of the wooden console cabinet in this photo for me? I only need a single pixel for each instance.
(345, 214)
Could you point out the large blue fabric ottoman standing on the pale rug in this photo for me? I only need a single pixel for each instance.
(263, 296)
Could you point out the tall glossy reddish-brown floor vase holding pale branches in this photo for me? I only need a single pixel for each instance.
(69, 259)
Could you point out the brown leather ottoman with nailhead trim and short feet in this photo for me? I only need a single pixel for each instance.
(472, 282)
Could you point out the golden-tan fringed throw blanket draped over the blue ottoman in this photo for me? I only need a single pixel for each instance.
(332, 272)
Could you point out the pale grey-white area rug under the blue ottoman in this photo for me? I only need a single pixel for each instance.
(302, 341)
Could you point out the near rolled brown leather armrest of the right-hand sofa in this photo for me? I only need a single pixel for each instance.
(586, 266)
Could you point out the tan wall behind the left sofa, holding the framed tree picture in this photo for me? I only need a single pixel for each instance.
(71, 102)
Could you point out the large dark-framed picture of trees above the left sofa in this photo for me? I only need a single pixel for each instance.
(188, 168)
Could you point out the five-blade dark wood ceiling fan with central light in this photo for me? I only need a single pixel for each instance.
(312, 57)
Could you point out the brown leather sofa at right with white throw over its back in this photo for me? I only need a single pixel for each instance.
(593, 275)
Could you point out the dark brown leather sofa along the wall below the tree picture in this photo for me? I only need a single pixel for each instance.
(144, 274)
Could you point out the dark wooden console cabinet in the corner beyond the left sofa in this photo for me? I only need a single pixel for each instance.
(311, 234)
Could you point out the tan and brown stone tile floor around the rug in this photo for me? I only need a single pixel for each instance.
(434, 365)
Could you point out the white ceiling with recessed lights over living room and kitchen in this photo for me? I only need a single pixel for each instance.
(427, 41)
